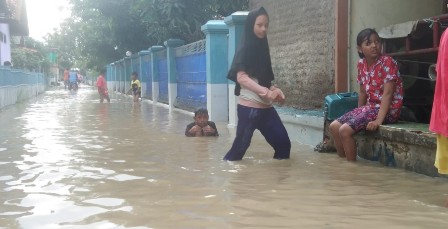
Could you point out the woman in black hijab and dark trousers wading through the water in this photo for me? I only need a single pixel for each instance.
(252, 72)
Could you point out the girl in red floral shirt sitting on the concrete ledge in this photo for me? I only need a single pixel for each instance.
(380, 95)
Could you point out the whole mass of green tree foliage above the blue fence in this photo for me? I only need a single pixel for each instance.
(101, 31)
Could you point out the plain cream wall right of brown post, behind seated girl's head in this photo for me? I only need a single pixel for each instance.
(380, 13)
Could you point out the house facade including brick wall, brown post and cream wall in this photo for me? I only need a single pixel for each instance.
(313, 43)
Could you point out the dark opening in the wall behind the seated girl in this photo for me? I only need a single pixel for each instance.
(416, 55)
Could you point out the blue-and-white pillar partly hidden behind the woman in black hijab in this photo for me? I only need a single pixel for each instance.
(235, 23)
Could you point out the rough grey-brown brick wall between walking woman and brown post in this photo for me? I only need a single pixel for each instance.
(301, 40)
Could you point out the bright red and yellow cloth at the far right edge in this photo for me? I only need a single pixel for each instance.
(439, 120)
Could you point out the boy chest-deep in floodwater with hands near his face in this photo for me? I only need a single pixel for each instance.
(201, 126)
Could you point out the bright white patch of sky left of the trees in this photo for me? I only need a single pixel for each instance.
(45, 15)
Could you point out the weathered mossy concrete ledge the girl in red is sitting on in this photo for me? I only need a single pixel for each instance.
(403, 145)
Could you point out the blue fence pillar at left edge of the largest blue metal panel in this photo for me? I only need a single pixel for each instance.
(172, 71)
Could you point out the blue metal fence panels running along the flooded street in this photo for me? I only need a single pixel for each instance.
(190, 63)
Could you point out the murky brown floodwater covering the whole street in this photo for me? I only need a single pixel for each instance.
(68, 161)
